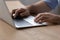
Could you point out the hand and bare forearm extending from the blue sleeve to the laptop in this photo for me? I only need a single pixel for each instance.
(33, 9)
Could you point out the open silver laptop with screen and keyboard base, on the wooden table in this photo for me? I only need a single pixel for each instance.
(22, 23)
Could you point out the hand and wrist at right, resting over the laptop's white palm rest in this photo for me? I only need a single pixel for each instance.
(47, 17)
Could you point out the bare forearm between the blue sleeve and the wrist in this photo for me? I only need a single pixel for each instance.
(39, 7)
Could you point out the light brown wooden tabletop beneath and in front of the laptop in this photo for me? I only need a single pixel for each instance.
(38, 33)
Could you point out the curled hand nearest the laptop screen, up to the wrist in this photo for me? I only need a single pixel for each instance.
(20, 13)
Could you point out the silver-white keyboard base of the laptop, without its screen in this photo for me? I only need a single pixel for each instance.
(26, 22)
